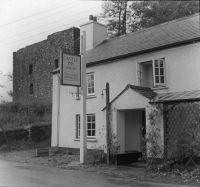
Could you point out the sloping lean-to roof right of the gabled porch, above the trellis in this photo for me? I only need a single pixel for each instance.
(184, 96)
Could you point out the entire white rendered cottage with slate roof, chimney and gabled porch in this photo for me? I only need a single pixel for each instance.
(157, 63)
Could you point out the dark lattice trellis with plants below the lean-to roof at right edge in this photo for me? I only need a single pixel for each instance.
(183, 146)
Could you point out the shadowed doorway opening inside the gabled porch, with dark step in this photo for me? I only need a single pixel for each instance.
(131, 125)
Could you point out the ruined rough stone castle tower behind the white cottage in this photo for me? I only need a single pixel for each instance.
(42, 57)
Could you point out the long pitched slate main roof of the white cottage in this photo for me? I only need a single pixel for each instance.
(176, 32)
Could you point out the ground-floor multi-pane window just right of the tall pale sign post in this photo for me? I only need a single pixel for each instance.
(91, 126)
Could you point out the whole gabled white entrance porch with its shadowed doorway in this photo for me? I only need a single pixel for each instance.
(130, 121)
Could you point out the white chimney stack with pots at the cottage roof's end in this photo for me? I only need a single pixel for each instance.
(95, 32)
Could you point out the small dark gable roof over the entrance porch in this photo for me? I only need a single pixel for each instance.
(144, 91)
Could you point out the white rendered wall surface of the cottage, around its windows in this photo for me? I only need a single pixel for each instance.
(182, 68)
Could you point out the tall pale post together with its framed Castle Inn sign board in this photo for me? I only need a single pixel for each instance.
(73, 75)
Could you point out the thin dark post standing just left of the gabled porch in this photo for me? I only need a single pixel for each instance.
(108, 121)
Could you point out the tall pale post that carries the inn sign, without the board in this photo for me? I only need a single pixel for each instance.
(83, 137)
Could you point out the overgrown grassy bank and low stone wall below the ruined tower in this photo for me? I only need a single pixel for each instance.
(16, 119)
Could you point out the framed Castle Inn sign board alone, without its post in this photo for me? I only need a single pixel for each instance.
(71, 70)
